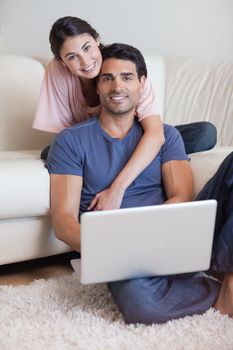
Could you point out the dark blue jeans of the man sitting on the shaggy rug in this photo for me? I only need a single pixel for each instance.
(159, 299)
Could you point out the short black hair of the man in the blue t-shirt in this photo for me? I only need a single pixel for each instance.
(127, 53)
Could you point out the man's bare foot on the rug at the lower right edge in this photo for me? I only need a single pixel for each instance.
(224, 302)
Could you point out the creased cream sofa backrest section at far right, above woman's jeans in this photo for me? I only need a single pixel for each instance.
(200, 89)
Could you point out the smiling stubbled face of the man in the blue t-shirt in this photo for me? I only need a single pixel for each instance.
(119, 86)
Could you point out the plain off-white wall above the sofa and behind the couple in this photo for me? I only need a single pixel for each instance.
(186, 27)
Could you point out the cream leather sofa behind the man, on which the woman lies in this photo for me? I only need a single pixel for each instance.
(188, 89)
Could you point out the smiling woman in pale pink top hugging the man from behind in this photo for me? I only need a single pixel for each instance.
(68, 96)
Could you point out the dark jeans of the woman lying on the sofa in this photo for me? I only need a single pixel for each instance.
(197, 137)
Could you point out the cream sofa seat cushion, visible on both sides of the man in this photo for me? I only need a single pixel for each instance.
(24, 180)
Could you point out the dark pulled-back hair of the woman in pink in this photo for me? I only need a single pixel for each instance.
(65, 27)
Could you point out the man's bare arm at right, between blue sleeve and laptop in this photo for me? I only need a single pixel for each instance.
(178, 181)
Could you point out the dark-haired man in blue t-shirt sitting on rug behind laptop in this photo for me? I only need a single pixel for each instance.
(84, 160)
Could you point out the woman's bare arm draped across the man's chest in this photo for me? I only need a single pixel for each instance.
(145, 152)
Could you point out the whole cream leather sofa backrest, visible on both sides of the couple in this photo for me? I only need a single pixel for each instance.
(187, 90)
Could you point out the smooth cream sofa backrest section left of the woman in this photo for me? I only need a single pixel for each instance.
(20, 81)
